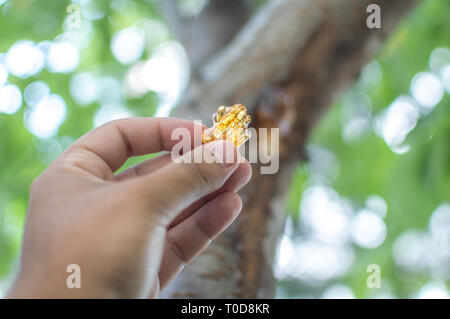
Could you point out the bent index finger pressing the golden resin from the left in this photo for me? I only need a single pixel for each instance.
(118, 140)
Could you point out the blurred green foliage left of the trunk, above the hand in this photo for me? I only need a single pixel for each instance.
(24, 156)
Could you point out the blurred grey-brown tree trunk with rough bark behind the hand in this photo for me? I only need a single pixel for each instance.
(287, 64)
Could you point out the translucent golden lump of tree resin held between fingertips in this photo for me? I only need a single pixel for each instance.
(230, 123)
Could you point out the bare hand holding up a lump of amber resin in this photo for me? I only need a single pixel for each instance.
(131, 232)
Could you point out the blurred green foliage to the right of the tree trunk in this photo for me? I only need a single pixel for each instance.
(413, 184)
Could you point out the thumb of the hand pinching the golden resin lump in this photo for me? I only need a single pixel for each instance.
(188, 178)
